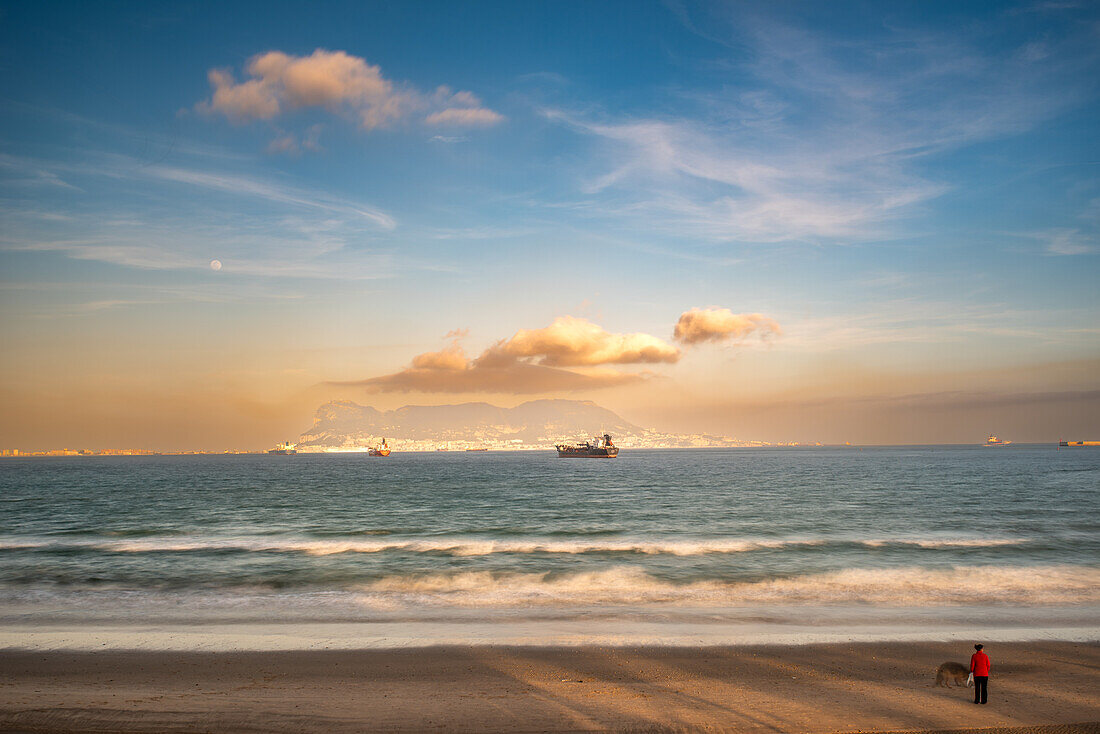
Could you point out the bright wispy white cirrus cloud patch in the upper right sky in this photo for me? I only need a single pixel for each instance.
(688, 177)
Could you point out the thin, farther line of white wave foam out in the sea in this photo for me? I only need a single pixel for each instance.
(467, 546)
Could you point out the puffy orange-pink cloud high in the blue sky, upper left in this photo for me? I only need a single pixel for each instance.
(336, 81)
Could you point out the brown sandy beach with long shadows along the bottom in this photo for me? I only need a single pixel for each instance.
(1049, 686)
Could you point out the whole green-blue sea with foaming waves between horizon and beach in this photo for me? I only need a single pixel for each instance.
(667, 547)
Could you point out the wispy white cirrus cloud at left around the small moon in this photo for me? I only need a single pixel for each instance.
(255, 225)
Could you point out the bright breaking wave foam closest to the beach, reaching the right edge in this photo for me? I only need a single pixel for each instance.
(630, 586)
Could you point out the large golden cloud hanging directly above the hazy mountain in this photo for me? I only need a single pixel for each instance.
(532, 361)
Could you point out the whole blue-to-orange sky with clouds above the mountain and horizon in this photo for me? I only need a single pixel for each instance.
(849, 222)
